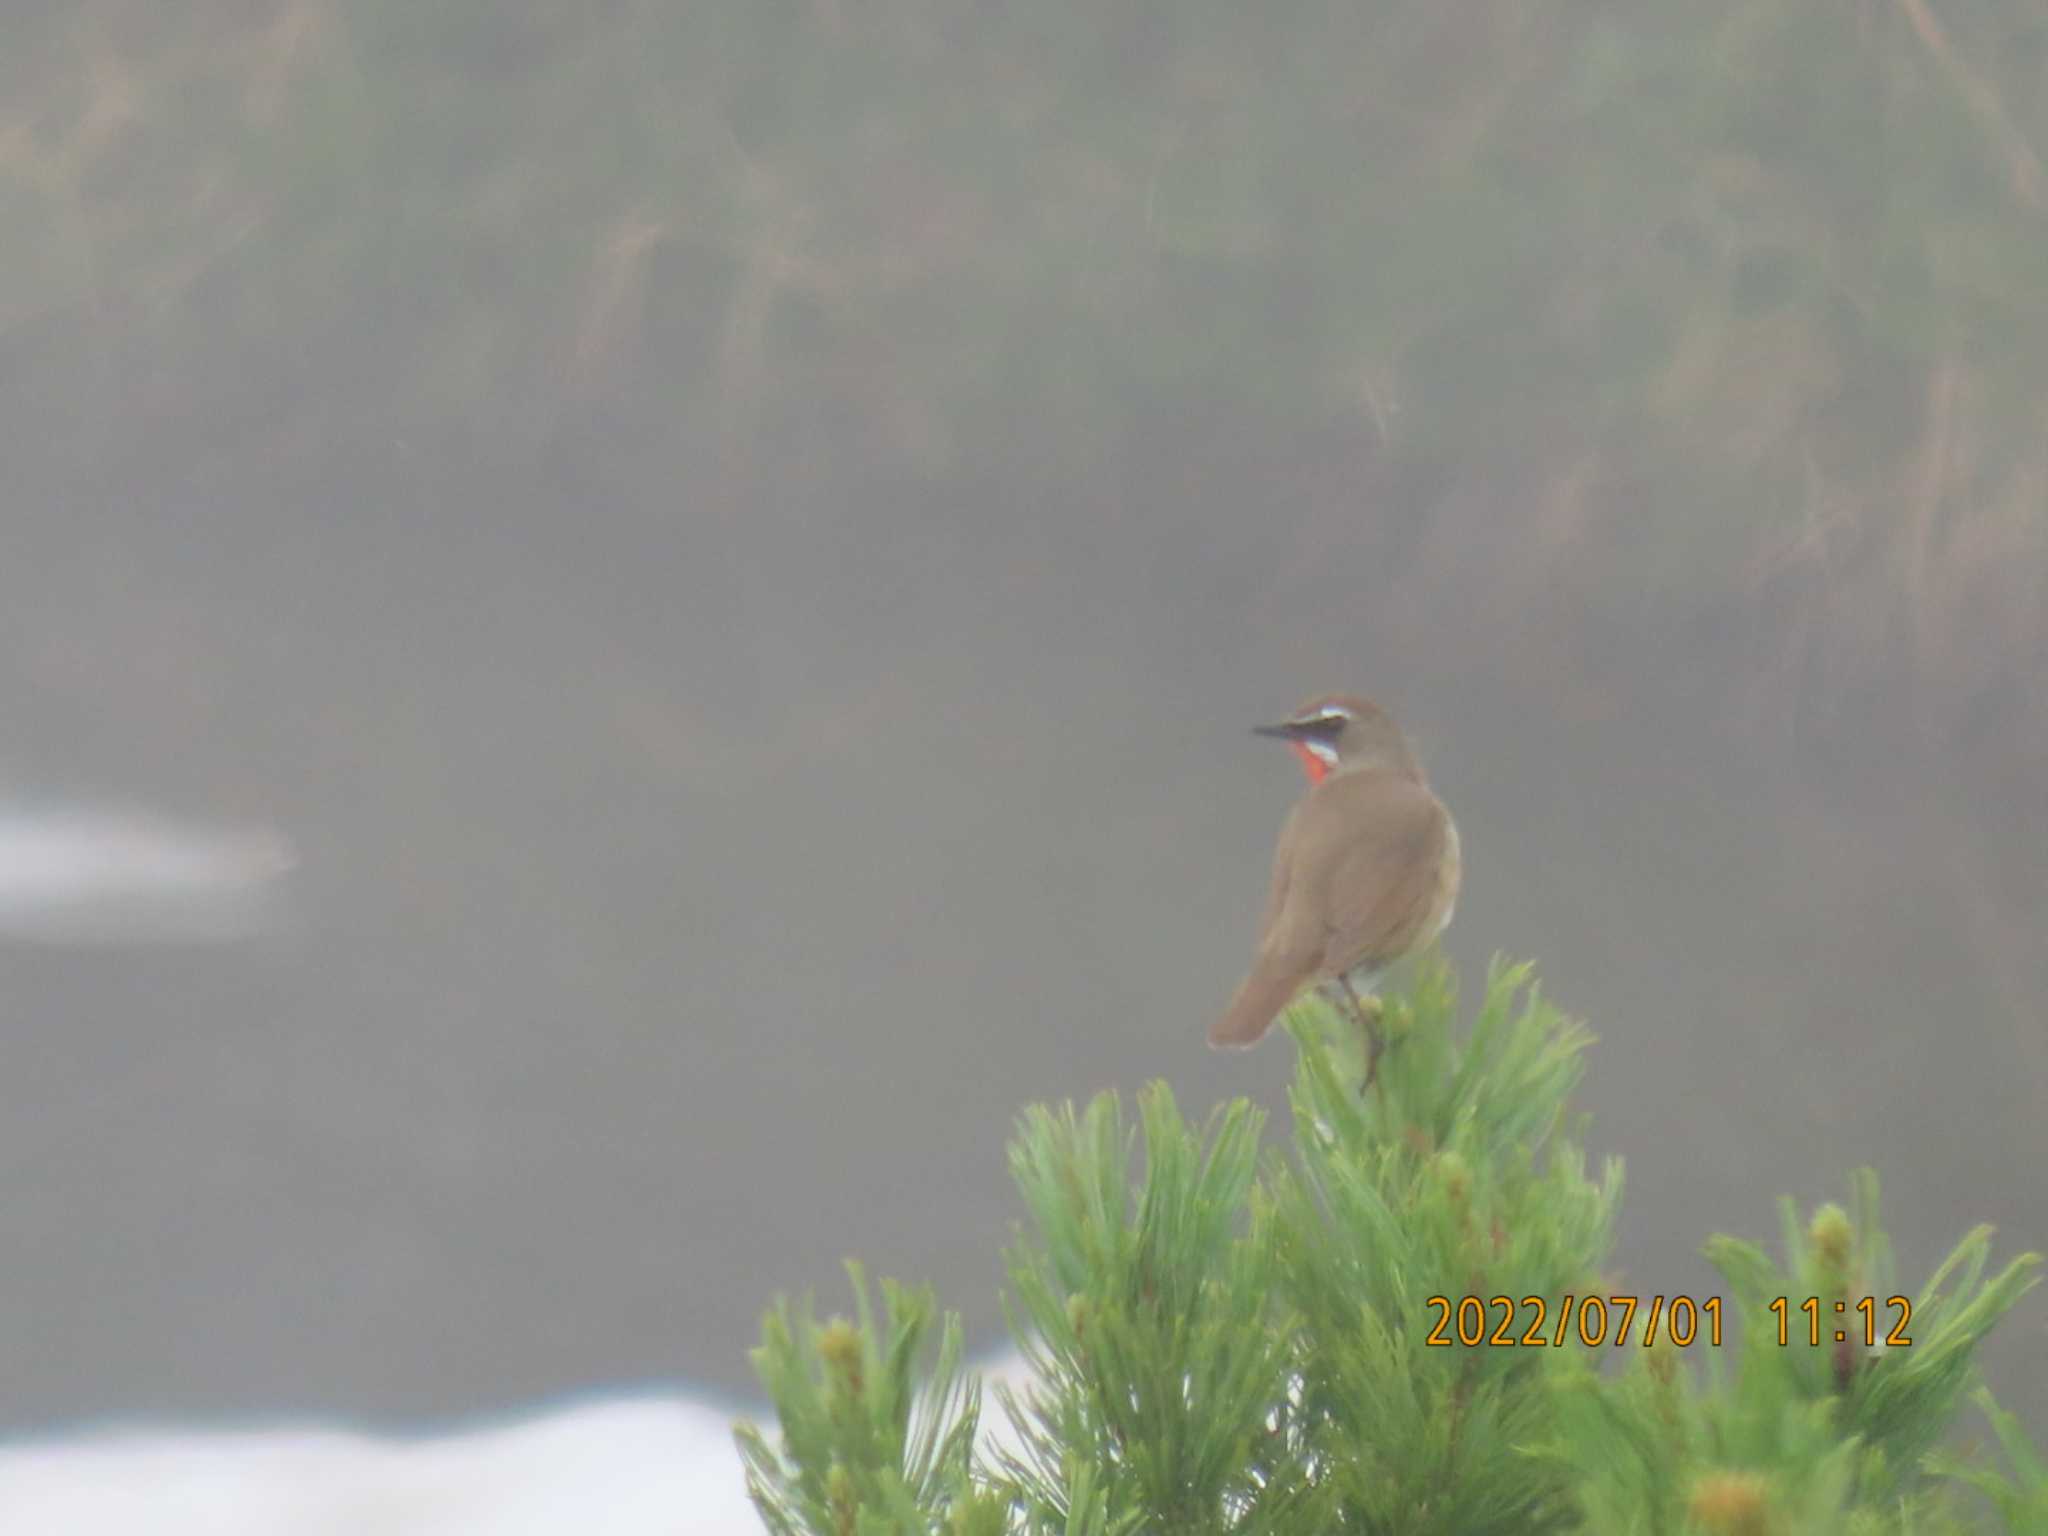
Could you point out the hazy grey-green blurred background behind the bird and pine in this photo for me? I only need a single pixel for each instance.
(738, 544)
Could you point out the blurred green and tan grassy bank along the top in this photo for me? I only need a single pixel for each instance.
(1715, 298)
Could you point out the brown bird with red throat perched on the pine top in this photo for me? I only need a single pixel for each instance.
(1367, 871)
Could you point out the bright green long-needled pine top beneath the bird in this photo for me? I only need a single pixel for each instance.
(1218, 1347)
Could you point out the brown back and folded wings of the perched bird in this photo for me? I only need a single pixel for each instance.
(1377, 867)
